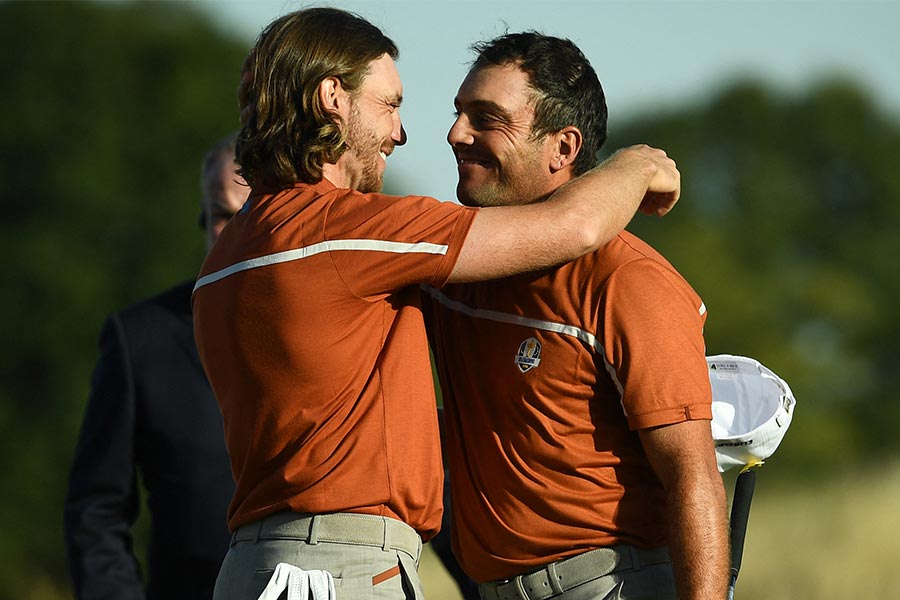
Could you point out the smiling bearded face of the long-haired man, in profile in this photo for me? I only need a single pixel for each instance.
(373, 126)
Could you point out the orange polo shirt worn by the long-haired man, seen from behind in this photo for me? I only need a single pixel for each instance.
(309, 326)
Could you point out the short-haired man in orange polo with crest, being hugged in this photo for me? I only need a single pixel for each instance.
(576, 398)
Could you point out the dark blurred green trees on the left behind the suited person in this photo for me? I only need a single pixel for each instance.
(108, 111)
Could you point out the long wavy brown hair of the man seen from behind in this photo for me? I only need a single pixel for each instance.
(288, 136)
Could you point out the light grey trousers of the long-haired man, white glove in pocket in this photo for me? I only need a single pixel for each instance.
(361, 569)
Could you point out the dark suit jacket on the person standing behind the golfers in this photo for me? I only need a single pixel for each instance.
(151, 411)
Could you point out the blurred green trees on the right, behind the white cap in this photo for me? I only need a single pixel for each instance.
(788, 229)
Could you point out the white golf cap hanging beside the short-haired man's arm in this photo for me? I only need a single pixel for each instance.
(752, 409)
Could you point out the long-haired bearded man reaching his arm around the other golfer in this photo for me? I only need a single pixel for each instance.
(308, 317)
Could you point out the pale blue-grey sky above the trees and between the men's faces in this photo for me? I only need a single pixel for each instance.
(650, 55)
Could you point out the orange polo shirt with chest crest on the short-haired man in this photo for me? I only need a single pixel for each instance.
(545, 378)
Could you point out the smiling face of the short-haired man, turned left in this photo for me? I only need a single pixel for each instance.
(498, 160)
